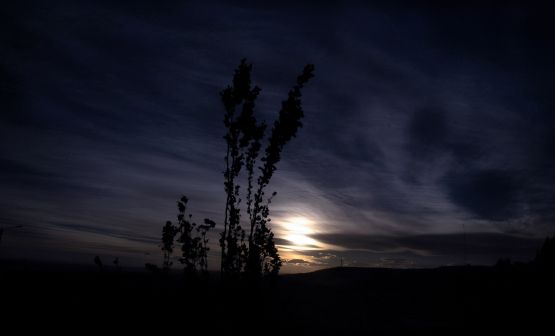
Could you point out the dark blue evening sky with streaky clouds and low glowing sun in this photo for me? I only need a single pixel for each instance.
(428, 138)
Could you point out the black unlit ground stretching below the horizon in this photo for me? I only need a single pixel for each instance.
(343, 301)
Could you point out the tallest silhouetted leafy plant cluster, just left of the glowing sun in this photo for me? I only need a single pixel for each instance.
(244, 142)
